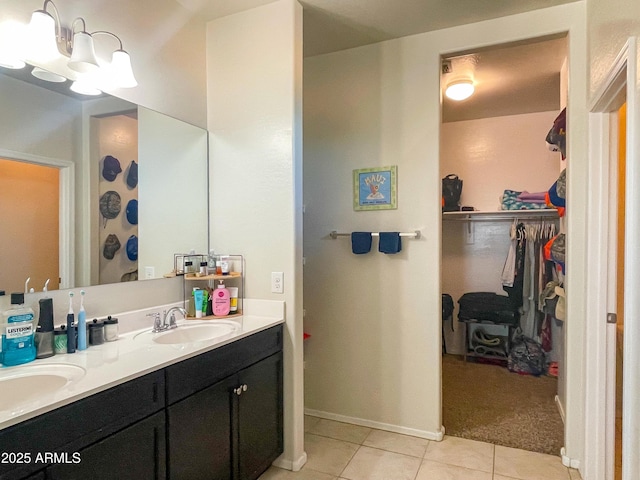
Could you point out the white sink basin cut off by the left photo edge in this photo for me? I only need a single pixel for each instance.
(26, 383)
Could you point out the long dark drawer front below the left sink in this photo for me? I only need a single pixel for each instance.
(74, 426)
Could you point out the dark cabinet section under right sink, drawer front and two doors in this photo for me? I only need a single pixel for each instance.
(233, 428)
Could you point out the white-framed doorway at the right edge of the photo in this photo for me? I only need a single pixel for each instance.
(619, 88)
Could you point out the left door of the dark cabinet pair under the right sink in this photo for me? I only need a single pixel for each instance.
(200, 434)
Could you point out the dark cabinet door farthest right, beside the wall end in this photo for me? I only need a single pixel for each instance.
(259, 439)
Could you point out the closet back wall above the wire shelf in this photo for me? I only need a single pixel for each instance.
(491, 155)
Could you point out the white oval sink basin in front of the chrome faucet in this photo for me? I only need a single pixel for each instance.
(191, 332)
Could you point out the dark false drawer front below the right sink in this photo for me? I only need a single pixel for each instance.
(195, 374)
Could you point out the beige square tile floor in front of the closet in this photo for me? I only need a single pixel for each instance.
(343, 451)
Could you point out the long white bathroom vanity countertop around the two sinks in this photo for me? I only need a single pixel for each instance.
(113, 363)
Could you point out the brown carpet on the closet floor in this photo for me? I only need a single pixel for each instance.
(491, 404)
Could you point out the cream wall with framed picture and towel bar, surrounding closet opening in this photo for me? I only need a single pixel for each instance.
(375, 320)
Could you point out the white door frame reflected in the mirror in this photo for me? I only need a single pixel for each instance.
(66, 191)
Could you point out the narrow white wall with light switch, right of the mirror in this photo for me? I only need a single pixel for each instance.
(254, 74)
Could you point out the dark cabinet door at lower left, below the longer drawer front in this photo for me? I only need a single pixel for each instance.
(134, 453)
